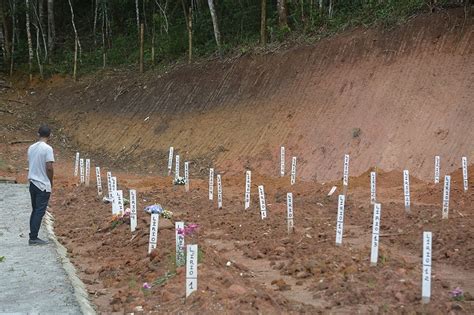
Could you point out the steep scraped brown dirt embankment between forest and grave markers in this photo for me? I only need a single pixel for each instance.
(393, 98)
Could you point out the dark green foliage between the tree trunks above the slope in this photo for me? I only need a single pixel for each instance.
(239, 23)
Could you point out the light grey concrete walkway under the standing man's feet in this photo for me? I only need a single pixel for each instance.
(32, 278)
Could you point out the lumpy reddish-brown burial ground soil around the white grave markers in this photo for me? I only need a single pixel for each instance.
(249, 265)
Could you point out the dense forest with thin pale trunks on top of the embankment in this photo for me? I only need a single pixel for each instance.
(44, 37)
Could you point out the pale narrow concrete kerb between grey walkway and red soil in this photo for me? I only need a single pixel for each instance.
(80, 291)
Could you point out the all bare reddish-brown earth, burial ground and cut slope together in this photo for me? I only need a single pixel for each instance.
(380, 83)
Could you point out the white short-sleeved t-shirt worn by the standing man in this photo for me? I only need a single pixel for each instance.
(38, 155)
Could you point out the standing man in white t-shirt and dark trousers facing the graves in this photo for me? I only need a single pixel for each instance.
(40, 175)
